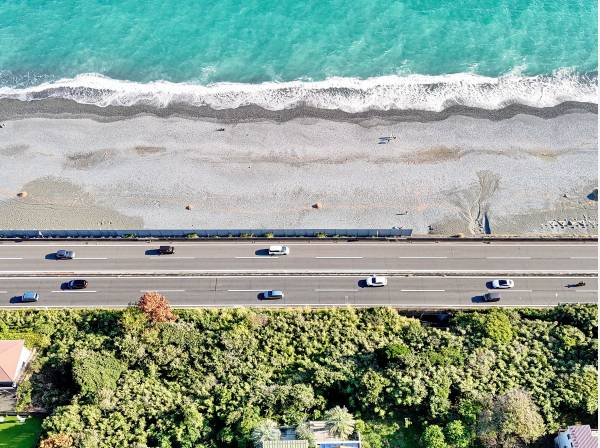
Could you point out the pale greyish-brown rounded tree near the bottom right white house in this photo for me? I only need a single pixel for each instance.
(510, 420)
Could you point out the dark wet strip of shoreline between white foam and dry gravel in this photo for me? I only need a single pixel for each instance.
(13, 109)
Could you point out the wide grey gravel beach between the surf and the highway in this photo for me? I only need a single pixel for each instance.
(517, 173)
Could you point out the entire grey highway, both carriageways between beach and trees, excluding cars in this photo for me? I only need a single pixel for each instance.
(214, 274)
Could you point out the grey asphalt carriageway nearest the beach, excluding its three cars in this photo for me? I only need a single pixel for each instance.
(313, 257)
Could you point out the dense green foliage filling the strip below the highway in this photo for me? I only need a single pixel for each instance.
(214, 378)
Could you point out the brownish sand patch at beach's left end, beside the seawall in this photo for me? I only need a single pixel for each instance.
(52, 203)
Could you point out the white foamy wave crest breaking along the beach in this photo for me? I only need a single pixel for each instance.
(409, 92)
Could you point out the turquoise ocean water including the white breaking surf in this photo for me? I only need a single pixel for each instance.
(347, 54)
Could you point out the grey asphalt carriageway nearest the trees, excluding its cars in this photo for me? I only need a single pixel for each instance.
(401, 291)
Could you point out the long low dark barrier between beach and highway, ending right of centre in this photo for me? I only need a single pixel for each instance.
(206, 233)
